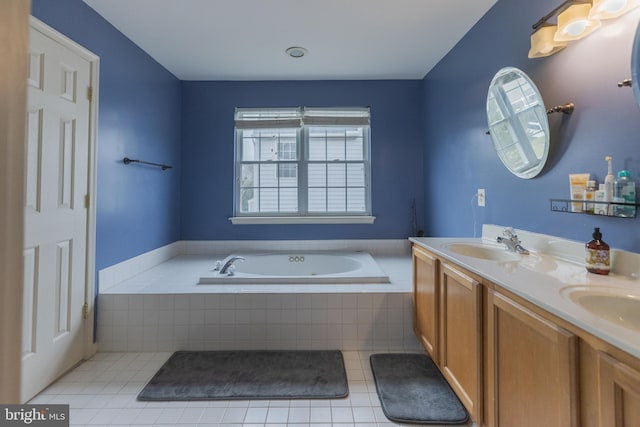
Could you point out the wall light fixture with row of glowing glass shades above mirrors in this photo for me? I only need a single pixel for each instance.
(575, 19)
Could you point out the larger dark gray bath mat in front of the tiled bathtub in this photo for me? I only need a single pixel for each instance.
(224, 375)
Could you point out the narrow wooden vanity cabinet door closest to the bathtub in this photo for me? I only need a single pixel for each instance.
(425, 300)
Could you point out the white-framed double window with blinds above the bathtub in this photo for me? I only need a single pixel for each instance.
(301, 163)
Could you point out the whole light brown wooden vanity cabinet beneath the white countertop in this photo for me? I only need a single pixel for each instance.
(512, 363)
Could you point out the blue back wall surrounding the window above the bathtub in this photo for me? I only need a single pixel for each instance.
(207, 154)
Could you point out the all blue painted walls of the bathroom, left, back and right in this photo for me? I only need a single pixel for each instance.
(428, 137)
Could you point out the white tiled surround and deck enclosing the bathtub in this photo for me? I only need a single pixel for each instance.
(164, 309)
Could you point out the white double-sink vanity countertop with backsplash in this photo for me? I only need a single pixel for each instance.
(544, 280)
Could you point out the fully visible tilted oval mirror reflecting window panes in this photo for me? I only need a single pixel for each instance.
(518, 122)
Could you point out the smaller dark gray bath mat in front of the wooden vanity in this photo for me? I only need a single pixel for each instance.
(412, 390)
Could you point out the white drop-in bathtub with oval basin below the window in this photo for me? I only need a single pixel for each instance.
(300, 267)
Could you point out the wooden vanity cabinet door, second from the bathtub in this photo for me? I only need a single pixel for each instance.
(461, 337)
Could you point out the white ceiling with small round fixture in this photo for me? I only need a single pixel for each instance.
(246, 39)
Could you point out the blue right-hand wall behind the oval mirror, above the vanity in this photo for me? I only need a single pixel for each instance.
(459, 156)
